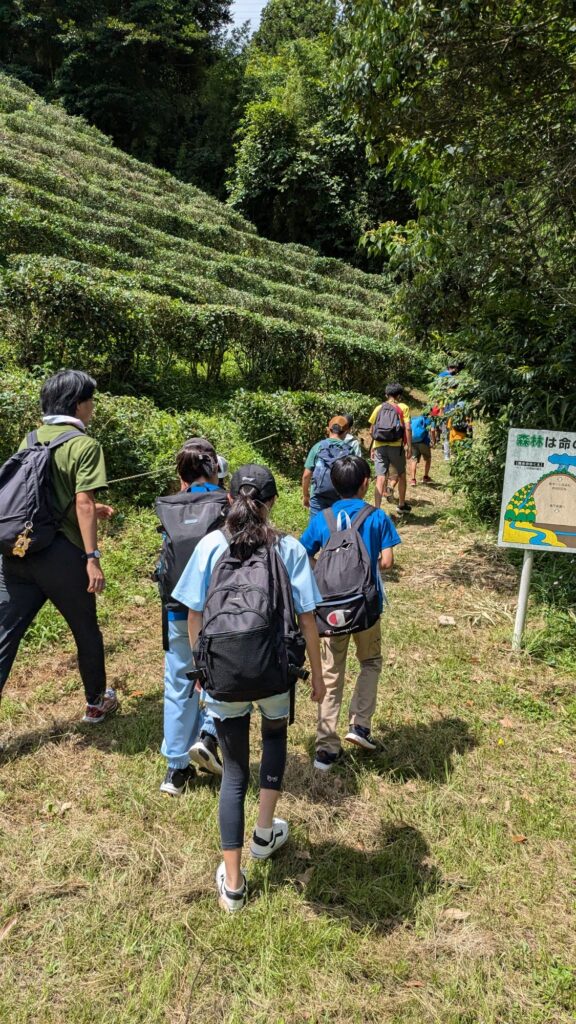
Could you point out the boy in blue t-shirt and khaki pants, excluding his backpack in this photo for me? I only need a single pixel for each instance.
(351, 478)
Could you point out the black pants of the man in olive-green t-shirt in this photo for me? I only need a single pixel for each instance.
(57, 575)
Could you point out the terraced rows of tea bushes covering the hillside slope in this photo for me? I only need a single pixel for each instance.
(116, 267)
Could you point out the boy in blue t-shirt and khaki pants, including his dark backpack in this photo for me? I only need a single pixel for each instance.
(356, 541)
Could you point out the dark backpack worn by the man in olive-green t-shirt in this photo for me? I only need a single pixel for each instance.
(28, 519)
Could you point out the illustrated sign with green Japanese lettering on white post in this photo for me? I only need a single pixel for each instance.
(539, 503)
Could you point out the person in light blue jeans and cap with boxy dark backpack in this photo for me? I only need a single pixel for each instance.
(201, 506)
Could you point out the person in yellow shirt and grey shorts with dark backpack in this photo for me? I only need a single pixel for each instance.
(392, 445)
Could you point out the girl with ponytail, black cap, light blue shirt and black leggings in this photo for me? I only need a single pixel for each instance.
(244, 587)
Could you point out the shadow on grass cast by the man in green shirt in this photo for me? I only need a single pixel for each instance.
(139, 728)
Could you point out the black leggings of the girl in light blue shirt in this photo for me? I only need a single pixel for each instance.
(234, 738)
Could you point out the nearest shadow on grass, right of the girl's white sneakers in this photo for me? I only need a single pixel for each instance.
(375, 890)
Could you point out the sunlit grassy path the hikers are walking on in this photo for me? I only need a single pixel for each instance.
(433, 883)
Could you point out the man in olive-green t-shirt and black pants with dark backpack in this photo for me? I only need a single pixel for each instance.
(49, 534)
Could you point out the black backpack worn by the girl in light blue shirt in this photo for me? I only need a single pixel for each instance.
(251, 646)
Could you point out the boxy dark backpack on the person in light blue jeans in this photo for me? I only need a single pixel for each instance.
(186, 519)
